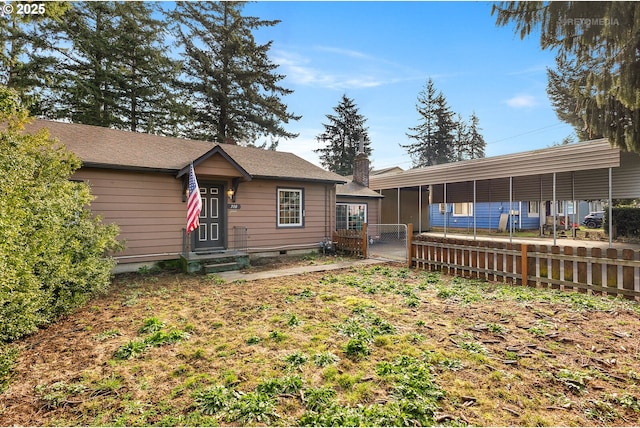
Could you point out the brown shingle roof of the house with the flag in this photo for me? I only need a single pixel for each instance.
(111, 148)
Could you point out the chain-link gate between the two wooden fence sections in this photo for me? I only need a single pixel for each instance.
(387, 242)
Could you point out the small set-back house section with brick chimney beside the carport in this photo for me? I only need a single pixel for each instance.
(356, 204)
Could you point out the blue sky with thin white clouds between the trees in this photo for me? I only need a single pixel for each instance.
(381, 55)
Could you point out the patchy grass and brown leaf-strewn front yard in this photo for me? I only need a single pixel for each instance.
(380, 345)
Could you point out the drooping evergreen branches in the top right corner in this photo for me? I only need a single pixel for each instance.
(602, 41)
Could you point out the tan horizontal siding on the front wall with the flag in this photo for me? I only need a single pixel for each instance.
(151, 214)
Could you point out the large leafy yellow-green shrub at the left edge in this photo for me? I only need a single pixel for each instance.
(52, 252)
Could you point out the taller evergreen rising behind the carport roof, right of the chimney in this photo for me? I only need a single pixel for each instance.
(435, 135)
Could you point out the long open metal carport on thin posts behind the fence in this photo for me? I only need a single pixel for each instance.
(589, 170)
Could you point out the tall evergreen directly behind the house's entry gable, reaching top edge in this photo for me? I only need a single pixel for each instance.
(233, 87)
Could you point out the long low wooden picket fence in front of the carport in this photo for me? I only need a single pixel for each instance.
(607, 271)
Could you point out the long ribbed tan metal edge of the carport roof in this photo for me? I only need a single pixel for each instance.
(595, 154)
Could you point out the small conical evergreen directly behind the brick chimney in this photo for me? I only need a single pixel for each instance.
(342, 136)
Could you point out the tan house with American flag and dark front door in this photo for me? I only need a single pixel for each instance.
(255, 201)
